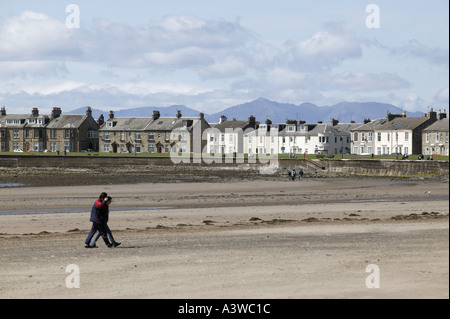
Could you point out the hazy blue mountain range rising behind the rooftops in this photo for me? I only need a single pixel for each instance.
(263, 109)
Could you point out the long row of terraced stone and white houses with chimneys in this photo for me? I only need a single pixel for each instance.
(57, 132)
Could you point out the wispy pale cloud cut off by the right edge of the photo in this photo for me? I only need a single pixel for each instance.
(417, 49)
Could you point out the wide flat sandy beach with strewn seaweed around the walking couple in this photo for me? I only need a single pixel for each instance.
(260, 238)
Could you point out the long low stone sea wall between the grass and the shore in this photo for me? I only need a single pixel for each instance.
(330, 167)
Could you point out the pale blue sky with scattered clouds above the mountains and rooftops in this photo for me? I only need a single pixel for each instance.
(210, 55)
